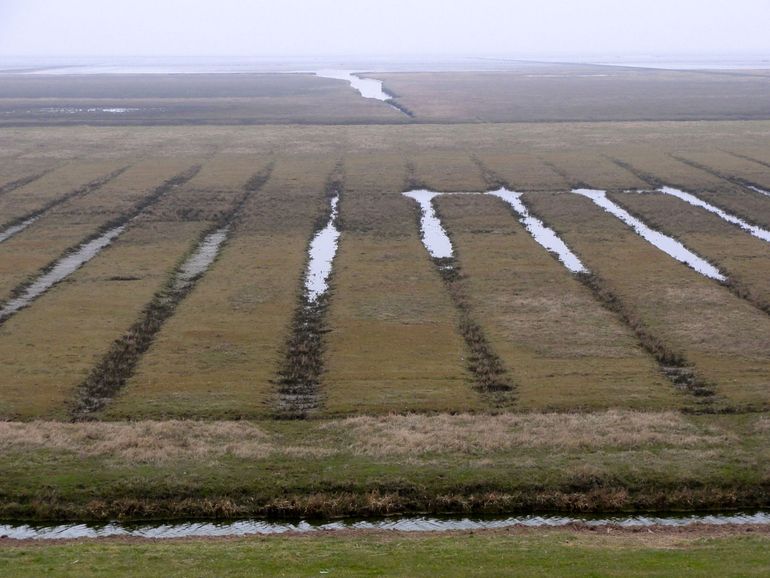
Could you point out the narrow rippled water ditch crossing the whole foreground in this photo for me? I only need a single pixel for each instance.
(404, 524)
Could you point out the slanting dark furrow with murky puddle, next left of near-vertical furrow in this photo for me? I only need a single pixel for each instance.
(117, 366)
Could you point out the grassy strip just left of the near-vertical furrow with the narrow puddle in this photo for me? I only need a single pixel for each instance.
(217, 356)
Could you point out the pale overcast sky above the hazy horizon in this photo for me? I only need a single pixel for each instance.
(515, 28)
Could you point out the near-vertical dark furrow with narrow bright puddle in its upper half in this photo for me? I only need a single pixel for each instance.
(299, 376)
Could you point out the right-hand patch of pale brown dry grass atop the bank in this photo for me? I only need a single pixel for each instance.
(412, 435)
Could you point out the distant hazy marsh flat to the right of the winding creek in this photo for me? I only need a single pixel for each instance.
(536, 94)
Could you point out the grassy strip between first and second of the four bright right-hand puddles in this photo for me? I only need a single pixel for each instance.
(562, 349)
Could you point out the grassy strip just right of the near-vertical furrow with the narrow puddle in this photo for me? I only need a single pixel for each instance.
(393, 343)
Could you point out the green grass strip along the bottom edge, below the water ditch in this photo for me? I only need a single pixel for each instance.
(518, 552)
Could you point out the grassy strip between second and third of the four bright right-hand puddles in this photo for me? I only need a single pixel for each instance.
(720, 344)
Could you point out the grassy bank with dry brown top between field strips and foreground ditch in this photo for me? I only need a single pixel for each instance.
(611, 462)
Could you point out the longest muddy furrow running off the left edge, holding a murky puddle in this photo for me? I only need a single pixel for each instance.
(77, 256)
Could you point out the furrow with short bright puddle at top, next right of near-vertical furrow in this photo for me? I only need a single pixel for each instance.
(490, 376)
